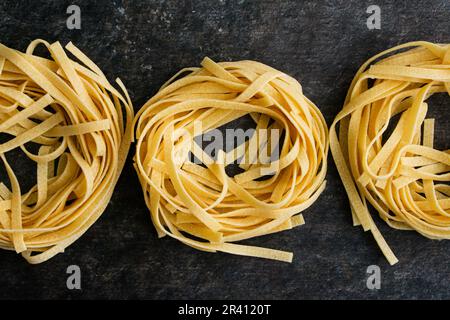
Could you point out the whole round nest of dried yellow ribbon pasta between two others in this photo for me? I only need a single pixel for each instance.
(202, 206)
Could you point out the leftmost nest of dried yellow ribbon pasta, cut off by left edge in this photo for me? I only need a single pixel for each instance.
(75, 117)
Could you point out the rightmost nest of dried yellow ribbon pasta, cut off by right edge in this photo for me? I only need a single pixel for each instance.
(399, 173)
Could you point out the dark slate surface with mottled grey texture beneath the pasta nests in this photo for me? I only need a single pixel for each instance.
(321, 43)
